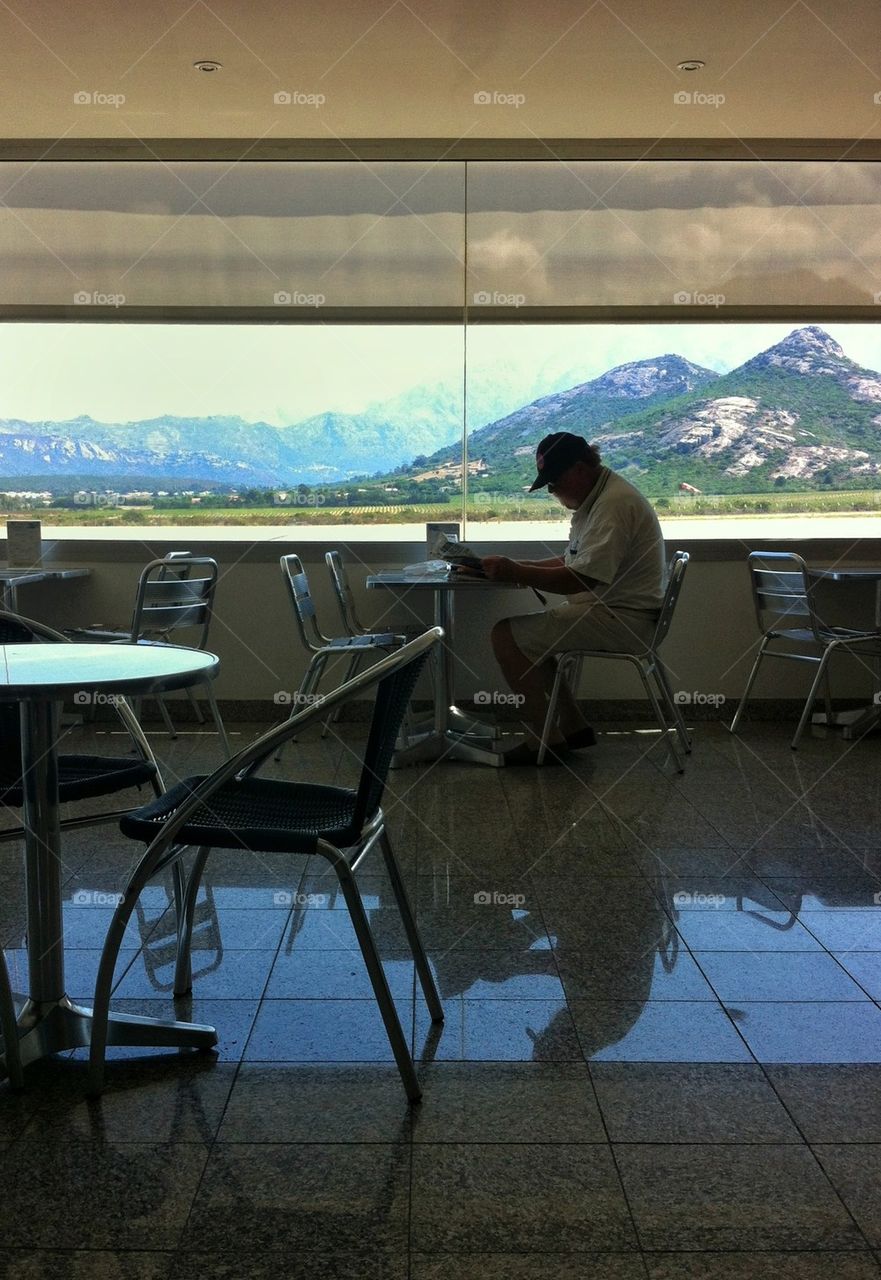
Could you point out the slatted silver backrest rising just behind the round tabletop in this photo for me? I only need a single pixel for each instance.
(175, 595)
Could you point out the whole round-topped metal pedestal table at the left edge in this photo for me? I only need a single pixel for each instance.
(40, 678)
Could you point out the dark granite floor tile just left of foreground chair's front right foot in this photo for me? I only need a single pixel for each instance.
(293, 1103)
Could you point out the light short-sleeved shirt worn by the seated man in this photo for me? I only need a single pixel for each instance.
(615, 538)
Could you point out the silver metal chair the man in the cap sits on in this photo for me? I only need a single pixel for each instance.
(649, 665)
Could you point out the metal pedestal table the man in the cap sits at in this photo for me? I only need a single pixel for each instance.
(454, 735)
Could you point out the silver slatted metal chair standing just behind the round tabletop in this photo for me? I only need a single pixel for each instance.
(175, 595)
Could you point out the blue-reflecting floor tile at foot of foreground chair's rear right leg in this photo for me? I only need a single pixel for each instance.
(513, 1031)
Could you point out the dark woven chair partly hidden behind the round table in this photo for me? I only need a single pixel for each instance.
(80, 778)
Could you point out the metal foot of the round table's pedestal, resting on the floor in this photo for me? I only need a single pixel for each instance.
(60, 1026)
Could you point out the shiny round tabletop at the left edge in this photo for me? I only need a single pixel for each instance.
(54, 671)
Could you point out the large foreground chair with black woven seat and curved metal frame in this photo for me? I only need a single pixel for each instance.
(235, 810)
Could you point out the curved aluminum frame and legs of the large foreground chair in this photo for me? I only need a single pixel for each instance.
(167, 851)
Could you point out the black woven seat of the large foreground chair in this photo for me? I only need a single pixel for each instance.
(259, 815)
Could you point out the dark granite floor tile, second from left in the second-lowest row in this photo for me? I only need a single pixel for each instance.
(294, 1199)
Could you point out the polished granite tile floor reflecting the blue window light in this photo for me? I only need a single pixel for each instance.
(661, 1055)
